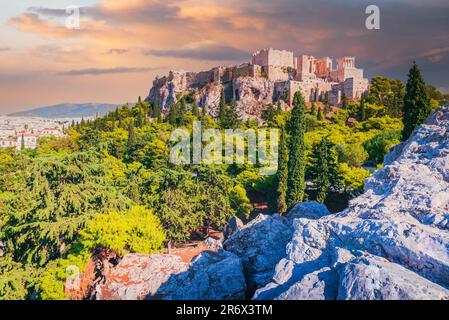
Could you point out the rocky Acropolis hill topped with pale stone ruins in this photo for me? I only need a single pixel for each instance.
(271, 76)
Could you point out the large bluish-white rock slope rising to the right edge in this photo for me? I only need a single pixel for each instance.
(391, 243)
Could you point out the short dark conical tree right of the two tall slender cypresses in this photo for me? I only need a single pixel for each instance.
(324, 168)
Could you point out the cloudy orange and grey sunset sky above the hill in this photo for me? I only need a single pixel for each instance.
(122, 45)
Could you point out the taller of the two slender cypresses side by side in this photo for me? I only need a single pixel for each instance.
(296, 161)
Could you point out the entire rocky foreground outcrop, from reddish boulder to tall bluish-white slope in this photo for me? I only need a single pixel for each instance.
(390, 243)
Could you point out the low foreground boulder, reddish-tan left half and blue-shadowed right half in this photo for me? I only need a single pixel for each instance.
(210, 276)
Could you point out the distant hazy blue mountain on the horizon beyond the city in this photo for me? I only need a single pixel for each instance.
(68, 110)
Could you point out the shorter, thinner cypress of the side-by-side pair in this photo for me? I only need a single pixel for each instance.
(282, 175)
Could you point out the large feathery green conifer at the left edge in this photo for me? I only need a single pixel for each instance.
(61, 193)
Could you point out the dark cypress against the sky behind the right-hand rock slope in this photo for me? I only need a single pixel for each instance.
(416, 102)
